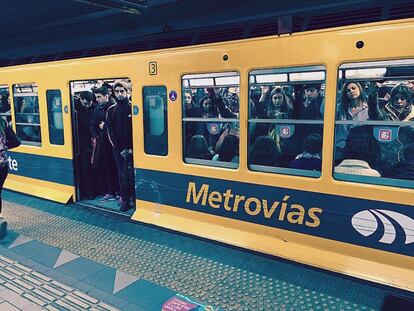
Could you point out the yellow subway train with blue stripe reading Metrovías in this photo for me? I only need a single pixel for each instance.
(298, 146)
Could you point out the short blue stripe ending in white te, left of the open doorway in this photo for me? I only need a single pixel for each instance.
(51, 169)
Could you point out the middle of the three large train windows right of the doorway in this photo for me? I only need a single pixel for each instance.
(286, 108)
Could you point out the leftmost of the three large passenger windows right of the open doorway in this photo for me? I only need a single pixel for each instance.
(211, 119)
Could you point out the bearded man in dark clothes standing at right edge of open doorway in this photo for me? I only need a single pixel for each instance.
(119, 126)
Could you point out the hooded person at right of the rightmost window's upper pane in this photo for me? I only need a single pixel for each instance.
(399, 107)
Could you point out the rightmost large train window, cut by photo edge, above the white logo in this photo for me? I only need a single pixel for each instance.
(374, 128)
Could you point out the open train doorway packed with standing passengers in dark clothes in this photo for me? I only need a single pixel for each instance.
(104, 129)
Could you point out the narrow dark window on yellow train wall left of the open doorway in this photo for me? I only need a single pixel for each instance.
(55, 117)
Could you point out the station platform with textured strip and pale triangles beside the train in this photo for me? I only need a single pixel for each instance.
(70, 257)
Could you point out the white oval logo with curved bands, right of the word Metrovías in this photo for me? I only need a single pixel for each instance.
(367, 222)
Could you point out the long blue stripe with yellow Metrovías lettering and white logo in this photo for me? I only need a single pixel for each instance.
(373, 224)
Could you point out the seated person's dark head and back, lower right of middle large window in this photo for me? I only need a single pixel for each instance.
(311, 157)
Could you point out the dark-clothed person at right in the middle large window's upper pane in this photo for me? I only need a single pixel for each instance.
(310, 108)
